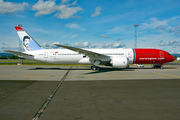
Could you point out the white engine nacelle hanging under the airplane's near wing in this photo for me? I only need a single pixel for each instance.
(120, 62)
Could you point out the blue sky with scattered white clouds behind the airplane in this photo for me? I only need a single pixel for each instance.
(92, 23)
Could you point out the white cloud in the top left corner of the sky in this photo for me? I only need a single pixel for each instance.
(9, 7)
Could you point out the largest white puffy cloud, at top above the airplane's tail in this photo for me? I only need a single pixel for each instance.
(63, 11)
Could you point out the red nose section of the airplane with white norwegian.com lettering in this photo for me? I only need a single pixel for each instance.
(152, 56)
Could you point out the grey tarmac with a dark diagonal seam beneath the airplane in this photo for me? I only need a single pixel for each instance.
(30, 92)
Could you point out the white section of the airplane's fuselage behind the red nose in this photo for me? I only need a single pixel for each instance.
(65, 56)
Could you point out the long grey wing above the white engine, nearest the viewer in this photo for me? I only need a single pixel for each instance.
(82, 51)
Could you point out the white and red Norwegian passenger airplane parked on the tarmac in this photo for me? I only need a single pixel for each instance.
(117, 58)
